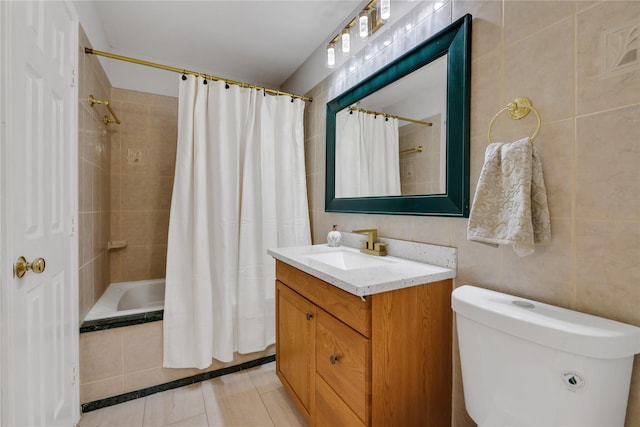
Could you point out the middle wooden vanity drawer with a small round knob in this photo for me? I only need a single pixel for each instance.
(343, 360)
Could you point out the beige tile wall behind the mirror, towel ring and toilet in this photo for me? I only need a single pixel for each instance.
(560, 55)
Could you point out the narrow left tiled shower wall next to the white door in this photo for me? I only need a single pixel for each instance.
(94, 204)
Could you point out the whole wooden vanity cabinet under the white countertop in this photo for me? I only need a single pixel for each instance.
(384, 360)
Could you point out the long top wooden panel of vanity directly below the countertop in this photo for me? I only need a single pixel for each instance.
(350, 308)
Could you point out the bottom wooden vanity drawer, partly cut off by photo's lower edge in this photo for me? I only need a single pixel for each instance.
(331, 411)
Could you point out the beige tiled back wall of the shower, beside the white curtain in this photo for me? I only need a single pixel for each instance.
(142, 169)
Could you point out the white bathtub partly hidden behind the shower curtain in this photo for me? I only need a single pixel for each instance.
(125, 298)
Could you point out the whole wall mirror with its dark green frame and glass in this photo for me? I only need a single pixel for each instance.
(398, 142)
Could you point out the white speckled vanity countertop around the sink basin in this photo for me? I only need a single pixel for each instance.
(394, 273)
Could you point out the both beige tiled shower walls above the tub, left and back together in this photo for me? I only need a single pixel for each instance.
(125, 181)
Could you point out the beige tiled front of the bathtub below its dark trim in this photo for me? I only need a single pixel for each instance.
(116, 361)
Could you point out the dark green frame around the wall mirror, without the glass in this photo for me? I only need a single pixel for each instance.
(454, 40)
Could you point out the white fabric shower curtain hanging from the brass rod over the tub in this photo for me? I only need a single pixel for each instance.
(239, 189)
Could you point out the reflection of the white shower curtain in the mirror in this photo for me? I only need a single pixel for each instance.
(367, 155)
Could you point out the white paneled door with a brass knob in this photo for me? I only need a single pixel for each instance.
(39, 312)
